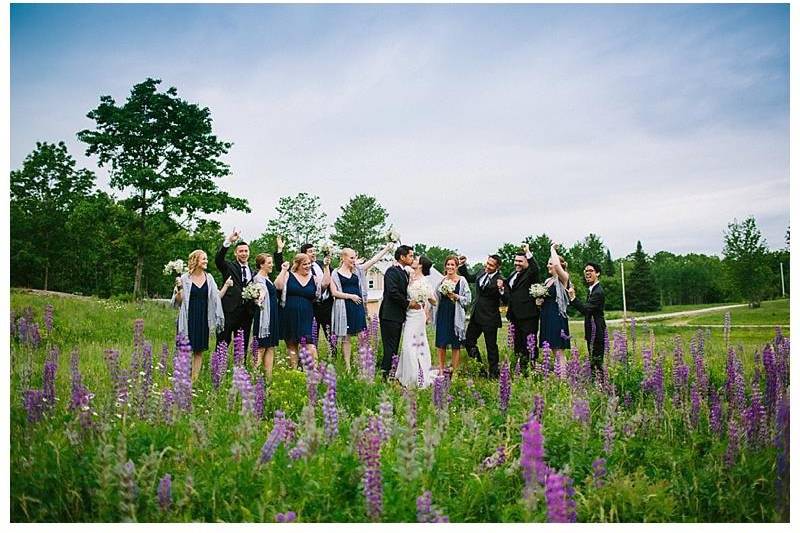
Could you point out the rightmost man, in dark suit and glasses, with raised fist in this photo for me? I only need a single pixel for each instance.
(593, 311)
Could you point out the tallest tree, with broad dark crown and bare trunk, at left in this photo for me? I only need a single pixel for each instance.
(161, 150)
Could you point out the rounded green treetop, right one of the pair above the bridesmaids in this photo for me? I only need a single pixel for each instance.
(361, 225)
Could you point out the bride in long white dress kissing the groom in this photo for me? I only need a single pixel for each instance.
(414, 366)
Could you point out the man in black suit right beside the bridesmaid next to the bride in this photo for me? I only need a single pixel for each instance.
(485, 316)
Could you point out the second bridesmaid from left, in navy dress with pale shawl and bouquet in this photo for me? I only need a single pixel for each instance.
(266, 321)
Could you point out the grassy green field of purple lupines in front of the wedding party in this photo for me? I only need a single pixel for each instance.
(683, 425)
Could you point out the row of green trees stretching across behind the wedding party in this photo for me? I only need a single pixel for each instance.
(164, 164)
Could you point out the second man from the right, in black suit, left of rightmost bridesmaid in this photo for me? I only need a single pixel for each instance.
(523, 312)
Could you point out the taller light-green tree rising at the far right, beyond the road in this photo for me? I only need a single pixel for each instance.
(746, 259)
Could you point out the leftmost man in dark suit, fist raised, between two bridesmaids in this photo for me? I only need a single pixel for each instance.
(238, 313)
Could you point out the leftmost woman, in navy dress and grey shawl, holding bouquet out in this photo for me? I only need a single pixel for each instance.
(200, 308)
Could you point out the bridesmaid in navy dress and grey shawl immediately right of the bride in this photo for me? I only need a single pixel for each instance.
(453, 297)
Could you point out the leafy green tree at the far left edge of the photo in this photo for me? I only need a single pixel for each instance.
(44, 193)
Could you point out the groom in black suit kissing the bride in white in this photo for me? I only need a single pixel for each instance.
(395, 302)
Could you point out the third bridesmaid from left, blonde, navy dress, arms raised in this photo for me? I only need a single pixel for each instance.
(299, 289)
